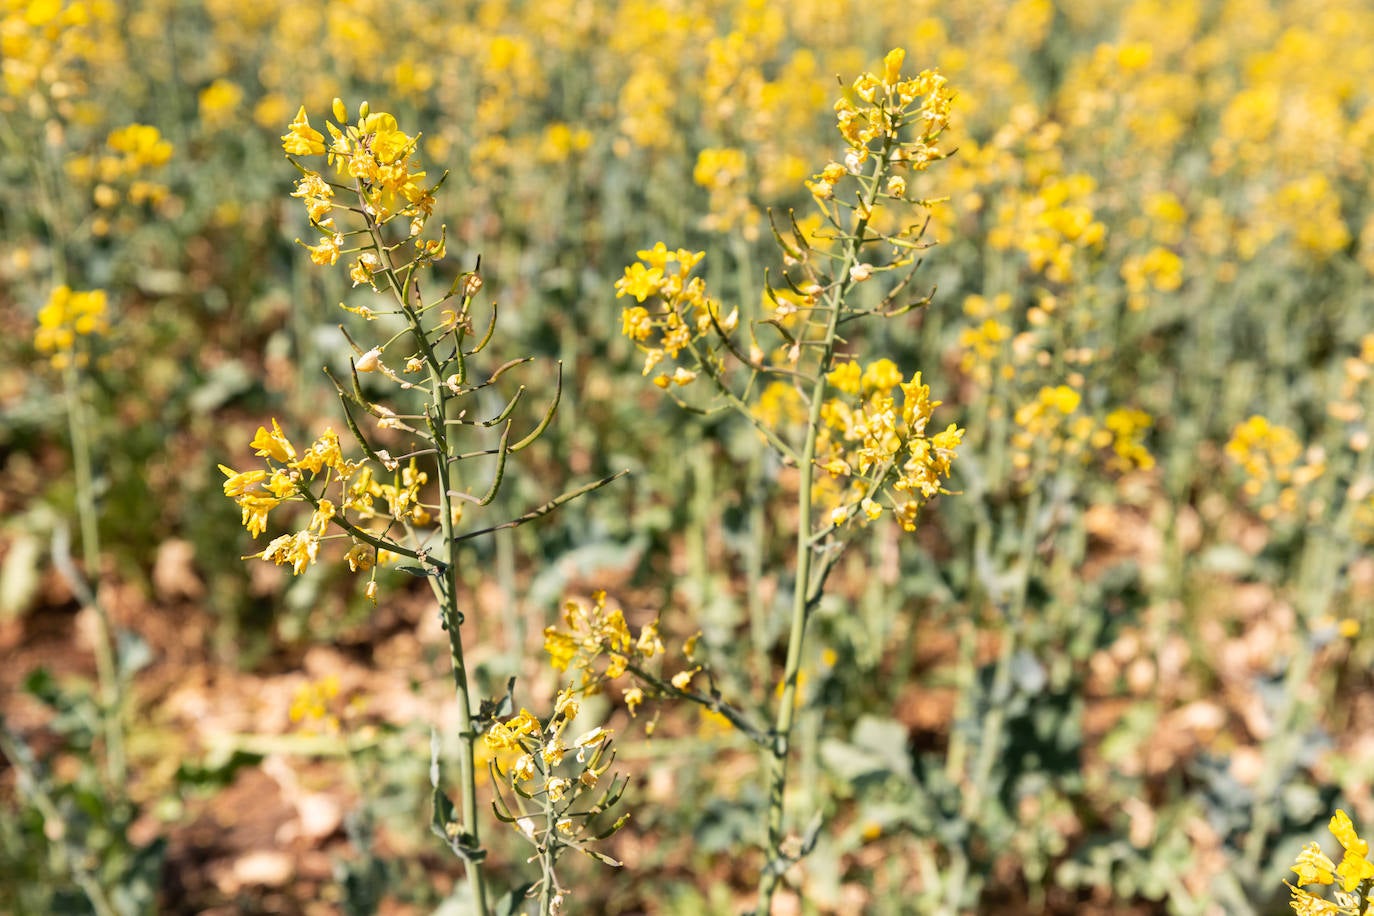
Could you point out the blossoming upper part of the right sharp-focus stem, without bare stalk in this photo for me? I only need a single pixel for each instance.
(872, 440)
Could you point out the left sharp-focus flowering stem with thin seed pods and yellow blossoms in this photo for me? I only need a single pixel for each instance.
(407, 510)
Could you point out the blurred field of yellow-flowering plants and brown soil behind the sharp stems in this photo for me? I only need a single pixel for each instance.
(1126, 671)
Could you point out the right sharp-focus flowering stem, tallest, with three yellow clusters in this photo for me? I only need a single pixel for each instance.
(855, 432)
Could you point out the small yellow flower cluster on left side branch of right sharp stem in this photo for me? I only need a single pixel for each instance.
(678, 312)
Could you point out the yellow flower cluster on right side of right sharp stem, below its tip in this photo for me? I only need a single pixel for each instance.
(879, 455)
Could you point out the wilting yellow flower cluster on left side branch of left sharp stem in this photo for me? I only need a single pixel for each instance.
(291, 477)
